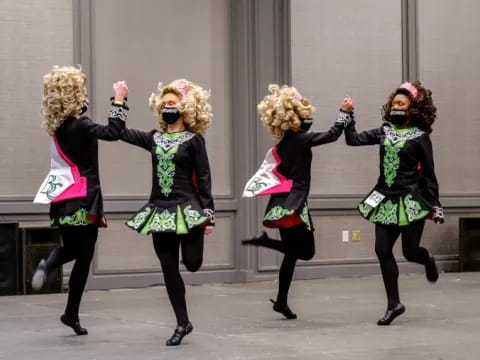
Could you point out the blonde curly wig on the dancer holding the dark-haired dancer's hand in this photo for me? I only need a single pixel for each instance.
(282, 110)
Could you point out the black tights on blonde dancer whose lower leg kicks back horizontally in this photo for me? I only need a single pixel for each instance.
(296, 243)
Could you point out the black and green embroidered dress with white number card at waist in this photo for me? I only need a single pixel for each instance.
(407, 188)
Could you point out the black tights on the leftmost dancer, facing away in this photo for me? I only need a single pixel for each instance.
(79, 245)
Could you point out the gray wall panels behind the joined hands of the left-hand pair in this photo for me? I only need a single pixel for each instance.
(159, 49)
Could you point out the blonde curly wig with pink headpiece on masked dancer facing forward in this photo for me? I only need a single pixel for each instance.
(194, 106)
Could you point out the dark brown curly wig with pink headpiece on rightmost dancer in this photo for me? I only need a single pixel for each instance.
(422, 111)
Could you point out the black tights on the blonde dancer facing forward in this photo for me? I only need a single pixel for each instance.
(167, 249)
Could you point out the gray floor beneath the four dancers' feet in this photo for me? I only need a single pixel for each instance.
(336, 321)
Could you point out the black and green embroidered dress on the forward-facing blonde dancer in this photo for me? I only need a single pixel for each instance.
(181, 197)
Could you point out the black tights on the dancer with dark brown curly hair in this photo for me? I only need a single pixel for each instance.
(385, 238)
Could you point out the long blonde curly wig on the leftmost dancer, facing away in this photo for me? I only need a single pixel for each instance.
(64, 91)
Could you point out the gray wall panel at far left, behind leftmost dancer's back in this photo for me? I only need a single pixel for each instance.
(34, 35)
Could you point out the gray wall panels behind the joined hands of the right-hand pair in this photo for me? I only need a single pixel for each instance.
(355, 54)
